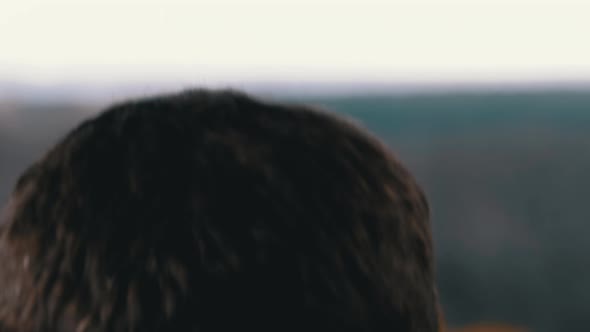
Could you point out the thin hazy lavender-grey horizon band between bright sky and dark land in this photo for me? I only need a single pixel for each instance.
(85, 90)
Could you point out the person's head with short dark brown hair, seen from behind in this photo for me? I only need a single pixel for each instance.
(212, 211)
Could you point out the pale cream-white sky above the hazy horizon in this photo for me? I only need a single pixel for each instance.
(313, 40)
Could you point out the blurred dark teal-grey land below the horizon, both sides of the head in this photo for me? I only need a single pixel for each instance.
(506, 173)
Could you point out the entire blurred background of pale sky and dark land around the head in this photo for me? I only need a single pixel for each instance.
(488, 103)
